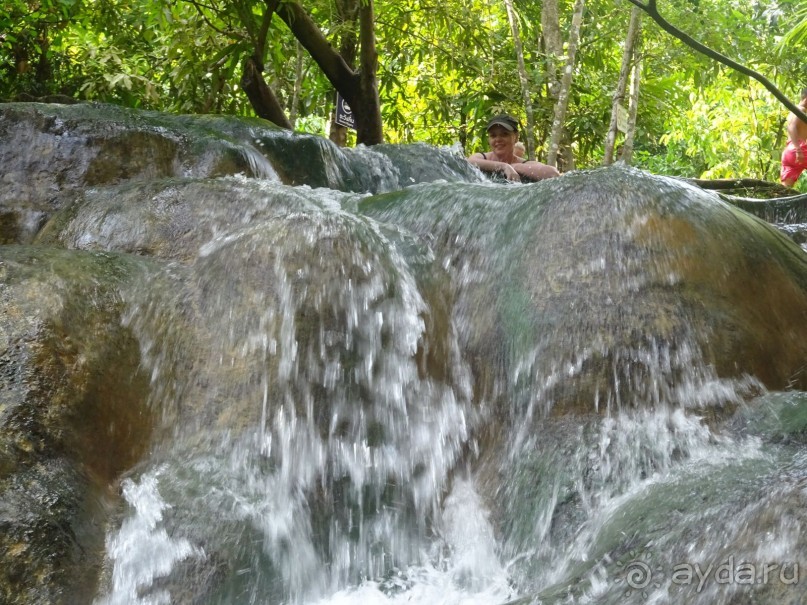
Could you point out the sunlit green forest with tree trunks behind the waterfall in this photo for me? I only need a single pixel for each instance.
(434, 70)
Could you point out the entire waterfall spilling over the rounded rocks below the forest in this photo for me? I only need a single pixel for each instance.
(585, 390)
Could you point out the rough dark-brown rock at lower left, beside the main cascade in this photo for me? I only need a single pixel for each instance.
(72, 418)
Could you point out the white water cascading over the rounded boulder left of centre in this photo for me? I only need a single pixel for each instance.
(307, 450)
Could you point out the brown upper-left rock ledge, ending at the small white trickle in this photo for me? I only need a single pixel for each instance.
(49, 153)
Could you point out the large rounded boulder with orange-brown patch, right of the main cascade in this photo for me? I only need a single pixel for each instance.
(605, 289)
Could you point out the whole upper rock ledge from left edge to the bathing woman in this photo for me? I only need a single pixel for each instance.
(50, 153)
